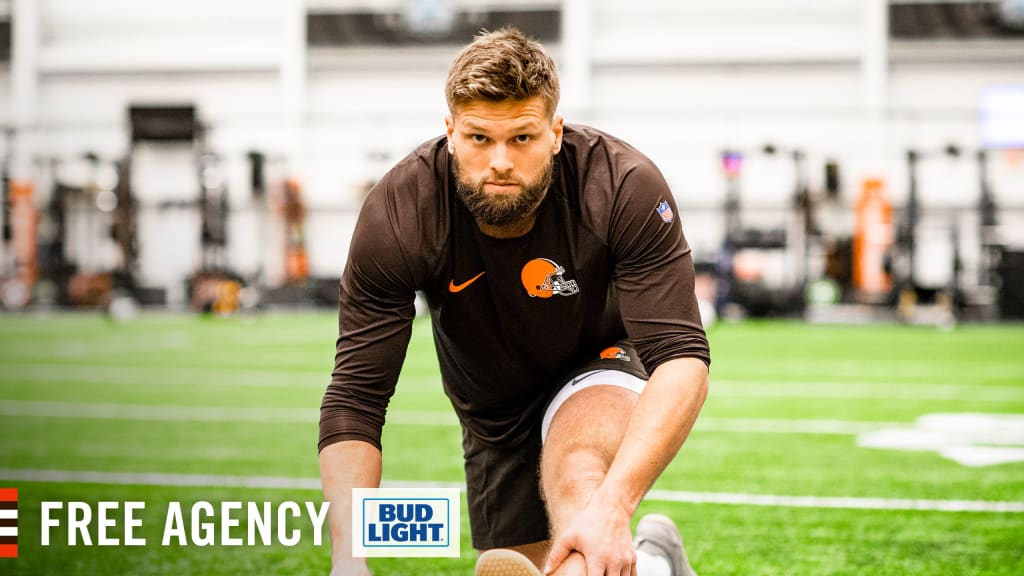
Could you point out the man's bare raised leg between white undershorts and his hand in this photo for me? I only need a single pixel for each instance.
(582, 442)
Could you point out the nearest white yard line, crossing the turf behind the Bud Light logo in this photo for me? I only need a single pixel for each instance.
(283, 483)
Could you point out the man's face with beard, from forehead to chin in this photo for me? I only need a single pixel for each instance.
(504, 157)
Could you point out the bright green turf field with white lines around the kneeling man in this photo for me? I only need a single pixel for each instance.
(773, 481)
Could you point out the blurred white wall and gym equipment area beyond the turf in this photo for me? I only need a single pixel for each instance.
(849, 160)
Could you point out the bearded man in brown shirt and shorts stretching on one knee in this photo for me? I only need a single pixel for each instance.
(561, 290)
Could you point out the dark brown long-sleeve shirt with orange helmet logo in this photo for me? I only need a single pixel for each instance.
(607, 260)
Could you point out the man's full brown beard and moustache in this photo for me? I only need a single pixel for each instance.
(502, 210)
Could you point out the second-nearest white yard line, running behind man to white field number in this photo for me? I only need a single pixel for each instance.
(403, 418)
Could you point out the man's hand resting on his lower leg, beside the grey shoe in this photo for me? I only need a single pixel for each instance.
(602, 534)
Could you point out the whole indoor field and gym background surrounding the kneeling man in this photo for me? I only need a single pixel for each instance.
(841, 161)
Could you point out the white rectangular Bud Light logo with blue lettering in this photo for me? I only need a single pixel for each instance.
(400, 522)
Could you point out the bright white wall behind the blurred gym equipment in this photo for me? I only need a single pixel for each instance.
(680, 80)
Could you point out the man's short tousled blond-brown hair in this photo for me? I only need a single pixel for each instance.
(500, 66)
